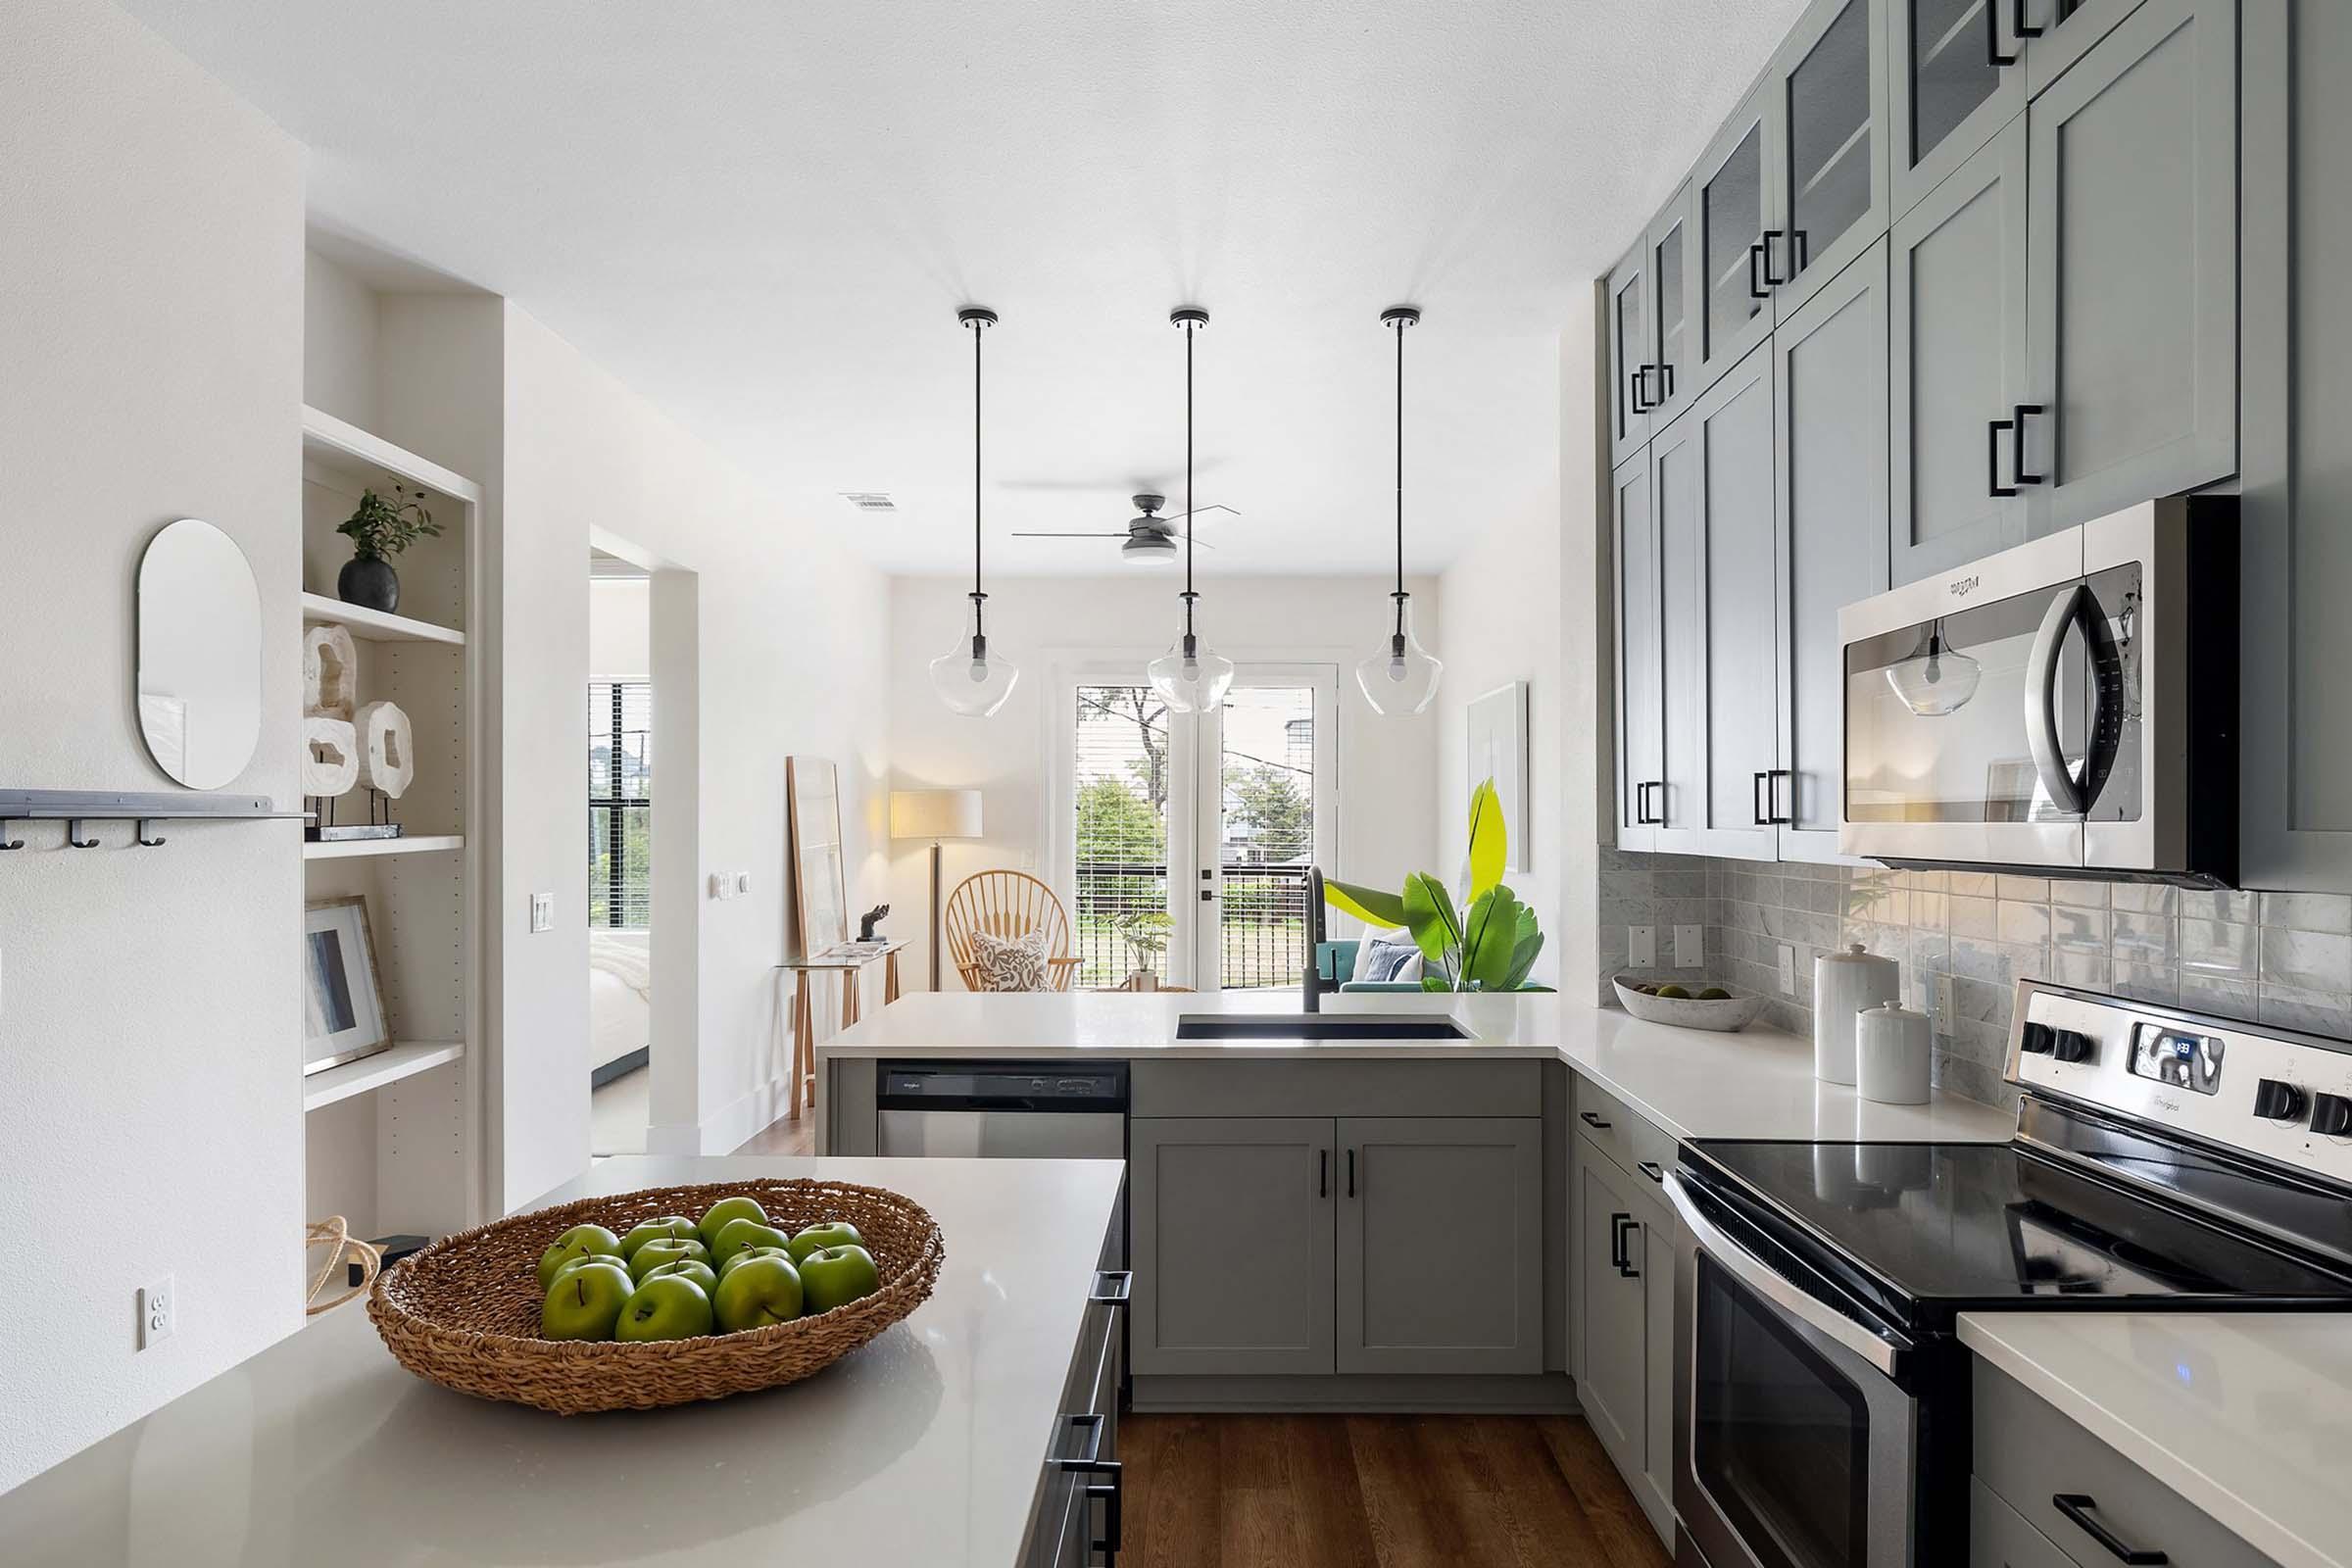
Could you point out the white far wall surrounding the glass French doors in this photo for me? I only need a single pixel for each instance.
(1387, 768)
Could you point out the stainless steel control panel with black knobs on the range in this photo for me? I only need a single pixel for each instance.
(2261, 1090)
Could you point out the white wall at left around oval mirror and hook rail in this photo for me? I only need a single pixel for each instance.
(149, 1024)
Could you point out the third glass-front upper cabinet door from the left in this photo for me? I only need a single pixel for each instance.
(1730, 208)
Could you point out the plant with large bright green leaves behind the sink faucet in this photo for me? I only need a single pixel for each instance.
(1488, 942)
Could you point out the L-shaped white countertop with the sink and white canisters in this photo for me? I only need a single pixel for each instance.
(1690, 1083)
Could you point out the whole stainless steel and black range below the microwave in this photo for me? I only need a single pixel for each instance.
(2165, 1160)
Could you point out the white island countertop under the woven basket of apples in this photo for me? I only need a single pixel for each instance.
(923, 1447)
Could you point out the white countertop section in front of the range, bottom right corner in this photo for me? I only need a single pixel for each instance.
(2247, 1416)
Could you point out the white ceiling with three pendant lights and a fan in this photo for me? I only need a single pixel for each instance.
(763, 215)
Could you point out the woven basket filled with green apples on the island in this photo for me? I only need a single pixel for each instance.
(662, 1296)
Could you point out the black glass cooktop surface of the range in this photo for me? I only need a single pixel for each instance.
(1939, 1228)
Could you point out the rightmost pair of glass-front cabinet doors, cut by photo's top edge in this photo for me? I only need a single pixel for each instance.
(1963, 69)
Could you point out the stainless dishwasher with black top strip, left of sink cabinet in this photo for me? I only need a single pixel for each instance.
(1003, 1111)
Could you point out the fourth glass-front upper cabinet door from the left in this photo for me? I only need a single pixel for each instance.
(1831, 105)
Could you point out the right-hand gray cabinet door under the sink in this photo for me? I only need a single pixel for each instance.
(1441, 1245)
